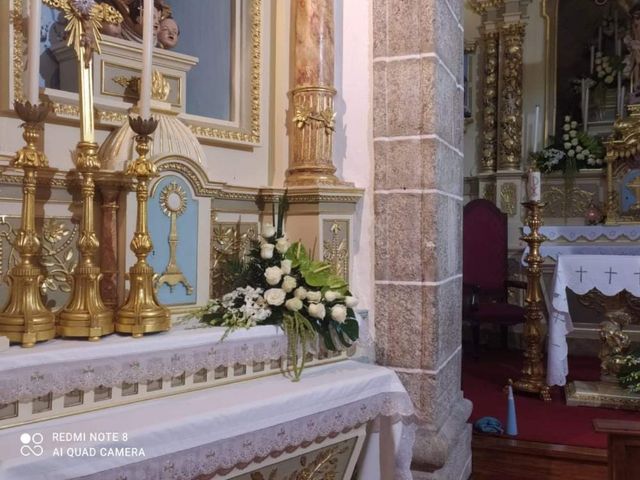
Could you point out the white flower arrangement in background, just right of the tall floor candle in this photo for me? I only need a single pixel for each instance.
(573, 151)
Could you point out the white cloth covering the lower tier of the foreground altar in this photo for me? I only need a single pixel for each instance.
(205, 431)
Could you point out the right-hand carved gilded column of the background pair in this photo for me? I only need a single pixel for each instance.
(510, 150)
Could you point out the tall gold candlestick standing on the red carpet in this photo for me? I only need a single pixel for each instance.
(533, 372)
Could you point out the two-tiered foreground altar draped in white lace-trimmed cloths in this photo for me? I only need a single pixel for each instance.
(77, 411)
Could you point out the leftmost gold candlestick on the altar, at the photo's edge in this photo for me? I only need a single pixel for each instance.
(25, 319)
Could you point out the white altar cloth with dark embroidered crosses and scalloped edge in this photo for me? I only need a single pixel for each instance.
(581, 273)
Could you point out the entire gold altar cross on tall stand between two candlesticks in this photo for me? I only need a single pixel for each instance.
(86, 314)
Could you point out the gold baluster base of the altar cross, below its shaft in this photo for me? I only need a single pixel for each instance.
(86, 315)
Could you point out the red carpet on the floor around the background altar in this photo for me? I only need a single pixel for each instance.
(483, 381)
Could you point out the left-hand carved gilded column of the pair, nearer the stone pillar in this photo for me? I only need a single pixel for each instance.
(490, 44)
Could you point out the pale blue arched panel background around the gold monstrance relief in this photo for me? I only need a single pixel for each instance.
(187, 250)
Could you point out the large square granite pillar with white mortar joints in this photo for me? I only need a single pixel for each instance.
(418, 163)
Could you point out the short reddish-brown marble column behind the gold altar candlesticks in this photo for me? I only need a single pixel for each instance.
(109, 245)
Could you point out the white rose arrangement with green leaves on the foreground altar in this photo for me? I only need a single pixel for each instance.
(279, 284)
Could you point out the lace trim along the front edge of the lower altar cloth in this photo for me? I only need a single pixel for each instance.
(223, 456)
